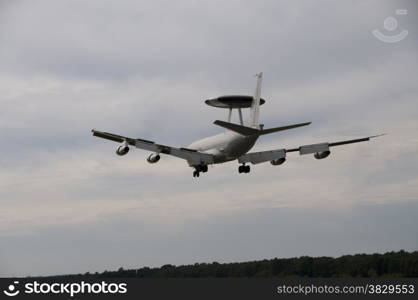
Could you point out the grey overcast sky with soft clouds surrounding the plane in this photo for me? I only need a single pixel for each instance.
(68, 204)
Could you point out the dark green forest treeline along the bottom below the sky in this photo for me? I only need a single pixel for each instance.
(390, 264)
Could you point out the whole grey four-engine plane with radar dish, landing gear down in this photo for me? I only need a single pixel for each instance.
(233, 144)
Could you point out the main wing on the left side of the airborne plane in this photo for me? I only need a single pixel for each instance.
(193, 157)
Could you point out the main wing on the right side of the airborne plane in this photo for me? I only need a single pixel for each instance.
(316, 149)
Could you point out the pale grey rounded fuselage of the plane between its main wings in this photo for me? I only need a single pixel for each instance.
(225, 146)
